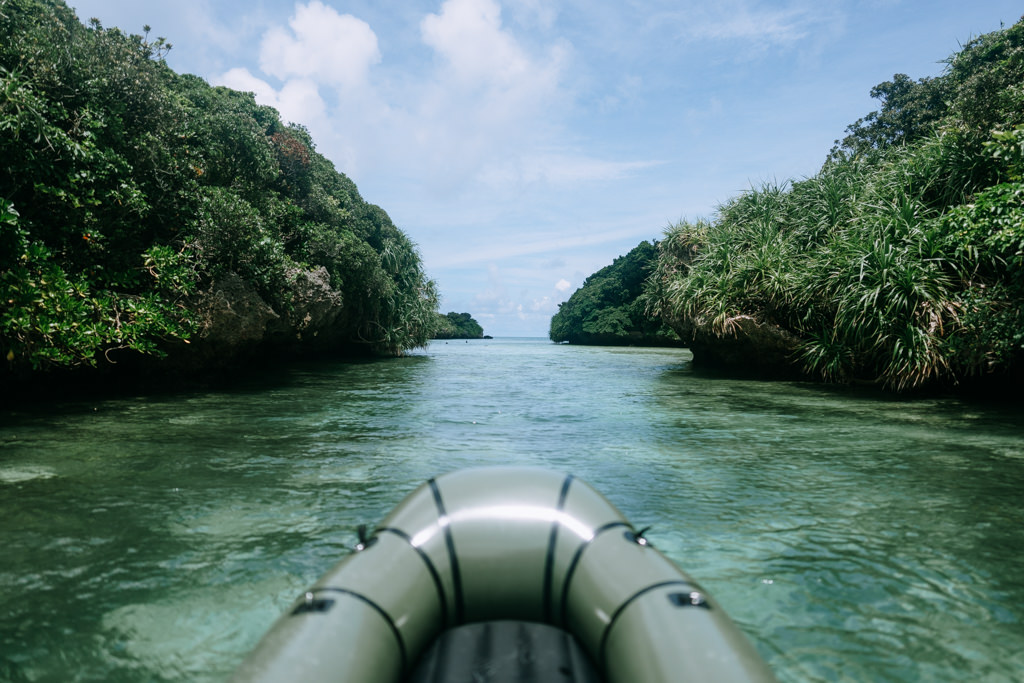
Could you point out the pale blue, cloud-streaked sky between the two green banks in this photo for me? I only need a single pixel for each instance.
(525, 145)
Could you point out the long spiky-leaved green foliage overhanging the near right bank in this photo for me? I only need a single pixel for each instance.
(902, 261)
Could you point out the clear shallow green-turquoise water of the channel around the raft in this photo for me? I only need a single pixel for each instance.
(852, 537)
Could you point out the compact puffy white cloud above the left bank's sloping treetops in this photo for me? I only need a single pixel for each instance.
(323, 46)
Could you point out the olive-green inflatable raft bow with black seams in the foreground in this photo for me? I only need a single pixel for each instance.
(505, 574)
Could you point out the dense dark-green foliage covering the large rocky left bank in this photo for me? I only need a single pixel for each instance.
(126, 190)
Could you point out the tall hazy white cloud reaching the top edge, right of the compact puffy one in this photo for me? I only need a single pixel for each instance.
(490, 101)
